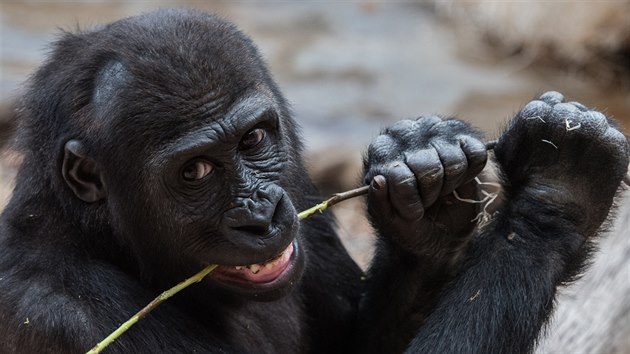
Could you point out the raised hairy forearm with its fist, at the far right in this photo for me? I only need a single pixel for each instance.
(556, 200)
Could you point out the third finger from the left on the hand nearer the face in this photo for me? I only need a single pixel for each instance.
(454, 163)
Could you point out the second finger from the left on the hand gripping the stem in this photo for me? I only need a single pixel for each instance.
(427, 167)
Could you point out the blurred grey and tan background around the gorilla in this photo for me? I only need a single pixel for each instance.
(351, 68)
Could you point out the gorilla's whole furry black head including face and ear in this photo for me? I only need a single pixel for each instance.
(186, 154)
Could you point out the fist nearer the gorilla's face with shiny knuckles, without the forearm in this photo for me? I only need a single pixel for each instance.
(414, 167)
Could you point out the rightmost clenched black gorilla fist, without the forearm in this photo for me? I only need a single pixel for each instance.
(566, 153)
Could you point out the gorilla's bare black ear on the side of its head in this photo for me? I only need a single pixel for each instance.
(82, 173)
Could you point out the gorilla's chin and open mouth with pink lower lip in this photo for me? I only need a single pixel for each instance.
(265, 281)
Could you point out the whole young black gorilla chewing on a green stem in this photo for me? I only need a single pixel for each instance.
(159, 144)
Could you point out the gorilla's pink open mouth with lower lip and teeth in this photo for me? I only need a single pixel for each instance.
(259, 273)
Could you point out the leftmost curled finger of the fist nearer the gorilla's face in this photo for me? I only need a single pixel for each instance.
(403, 192)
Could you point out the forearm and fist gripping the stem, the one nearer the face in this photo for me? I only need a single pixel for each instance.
(423, 229)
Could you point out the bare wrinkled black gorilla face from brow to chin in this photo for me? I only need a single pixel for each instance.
(222, 180)
